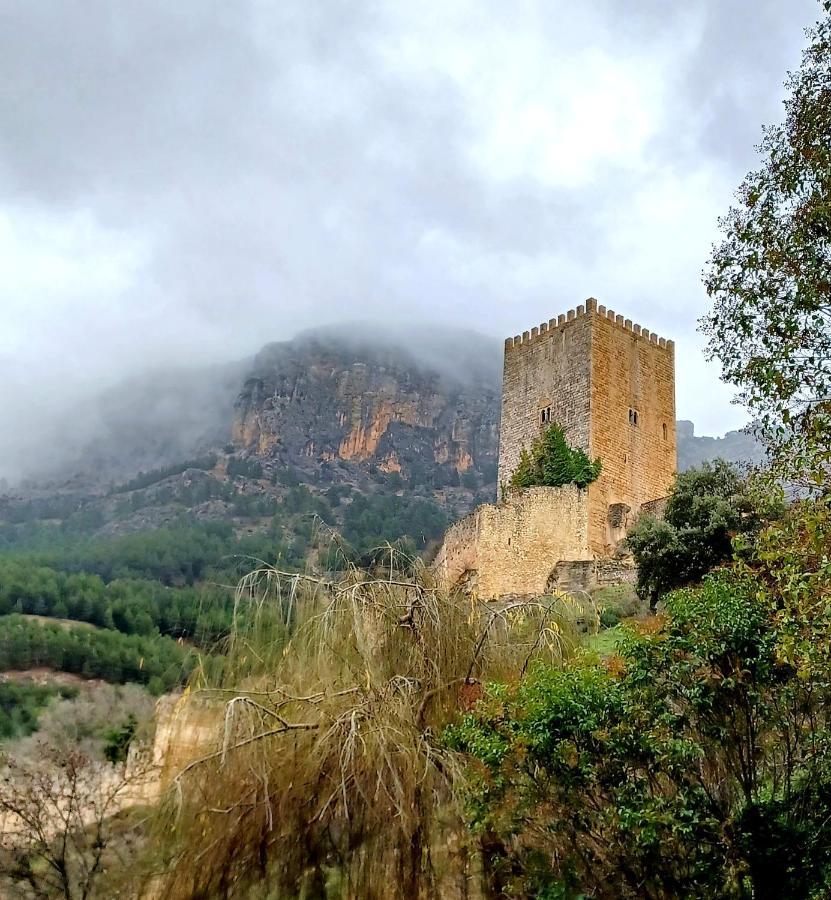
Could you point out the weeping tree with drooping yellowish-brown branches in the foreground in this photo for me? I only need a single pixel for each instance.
(327, 777)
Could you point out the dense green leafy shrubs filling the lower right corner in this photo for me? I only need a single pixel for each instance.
(696, 764)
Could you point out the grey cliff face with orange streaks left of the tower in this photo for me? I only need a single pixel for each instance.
(314, 402)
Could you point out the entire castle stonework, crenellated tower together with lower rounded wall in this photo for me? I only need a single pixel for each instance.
(611, 385)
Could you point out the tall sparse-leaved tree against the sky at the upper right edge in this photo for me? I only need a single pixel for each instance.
(770, 277)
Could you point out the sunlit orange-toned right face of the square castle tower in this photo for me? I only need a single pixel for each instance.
(631, 370)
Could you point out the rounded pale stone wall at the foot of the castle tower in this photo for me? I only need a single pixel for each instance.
(513, 547)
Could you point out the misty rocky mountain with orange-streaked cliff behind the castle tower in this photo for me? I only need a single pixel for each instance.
(304, 427)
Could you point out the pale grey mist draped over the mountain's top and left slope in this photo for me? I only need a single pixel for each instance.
(166, 414)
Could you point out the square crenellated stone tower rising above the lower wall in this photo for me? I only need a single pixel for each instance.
(611, 385)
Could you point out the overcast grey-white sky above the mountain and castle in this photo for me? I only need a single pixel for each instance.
(184, 181)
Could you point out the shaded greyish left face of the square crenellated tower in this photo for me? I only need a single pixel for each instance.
(550, 366)
